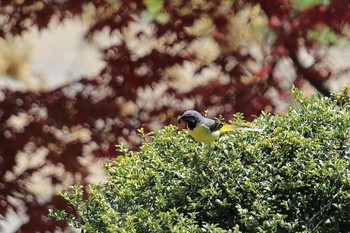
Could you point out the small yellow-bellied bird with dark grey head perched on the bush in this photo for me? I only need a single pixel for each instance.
(204, 129)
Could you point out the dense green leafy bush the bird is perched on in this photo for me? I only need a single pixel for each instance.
(293, 177)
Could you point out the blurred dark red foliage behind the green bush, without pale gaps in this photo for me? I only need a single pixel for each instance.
(97, 103)
